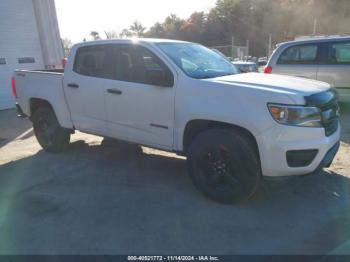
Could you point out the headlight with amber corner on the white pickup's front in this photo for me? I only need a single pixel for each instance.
(296, 115)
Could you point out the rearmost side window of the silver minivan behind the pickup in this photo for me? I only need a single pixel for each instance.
(300, 54)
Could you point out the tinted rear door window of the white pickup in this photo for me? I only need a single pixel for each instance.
(94, 61)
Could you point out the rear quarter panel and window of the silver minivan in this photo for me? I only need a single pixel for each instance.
(298, 60)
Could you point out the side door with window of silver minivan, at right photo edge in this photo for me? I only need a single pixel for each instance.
(334, 65)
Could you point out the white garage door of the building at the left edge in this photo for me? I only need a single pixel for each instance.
(19, 44)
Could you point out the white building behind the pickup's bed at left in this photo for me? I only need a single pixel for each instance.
(29, 39)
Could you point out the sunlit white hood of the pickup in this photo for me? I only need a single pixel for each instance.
(275, 83)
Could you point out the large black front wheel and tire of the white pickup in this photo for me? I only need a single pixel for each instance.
(224, 165)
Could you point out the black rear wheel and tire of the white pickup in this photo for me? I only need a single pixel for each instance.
(51, 136)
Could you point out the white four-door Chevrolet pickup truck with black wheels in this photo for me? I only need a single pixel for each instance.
(184, 98)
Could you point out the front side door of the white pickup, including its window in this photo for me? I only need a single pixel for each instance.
(136, 110)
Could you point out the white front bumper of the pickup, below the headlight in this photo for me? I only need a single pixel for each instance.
(276, 142)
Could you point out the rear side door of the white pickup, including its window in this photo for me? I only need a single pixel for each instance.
(85, 87)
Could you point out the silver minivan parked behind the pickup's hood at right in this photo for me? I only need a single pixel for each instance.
(324, 59)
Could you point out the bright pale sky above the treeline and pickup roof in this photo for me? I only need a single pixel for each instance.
(77, 18)
